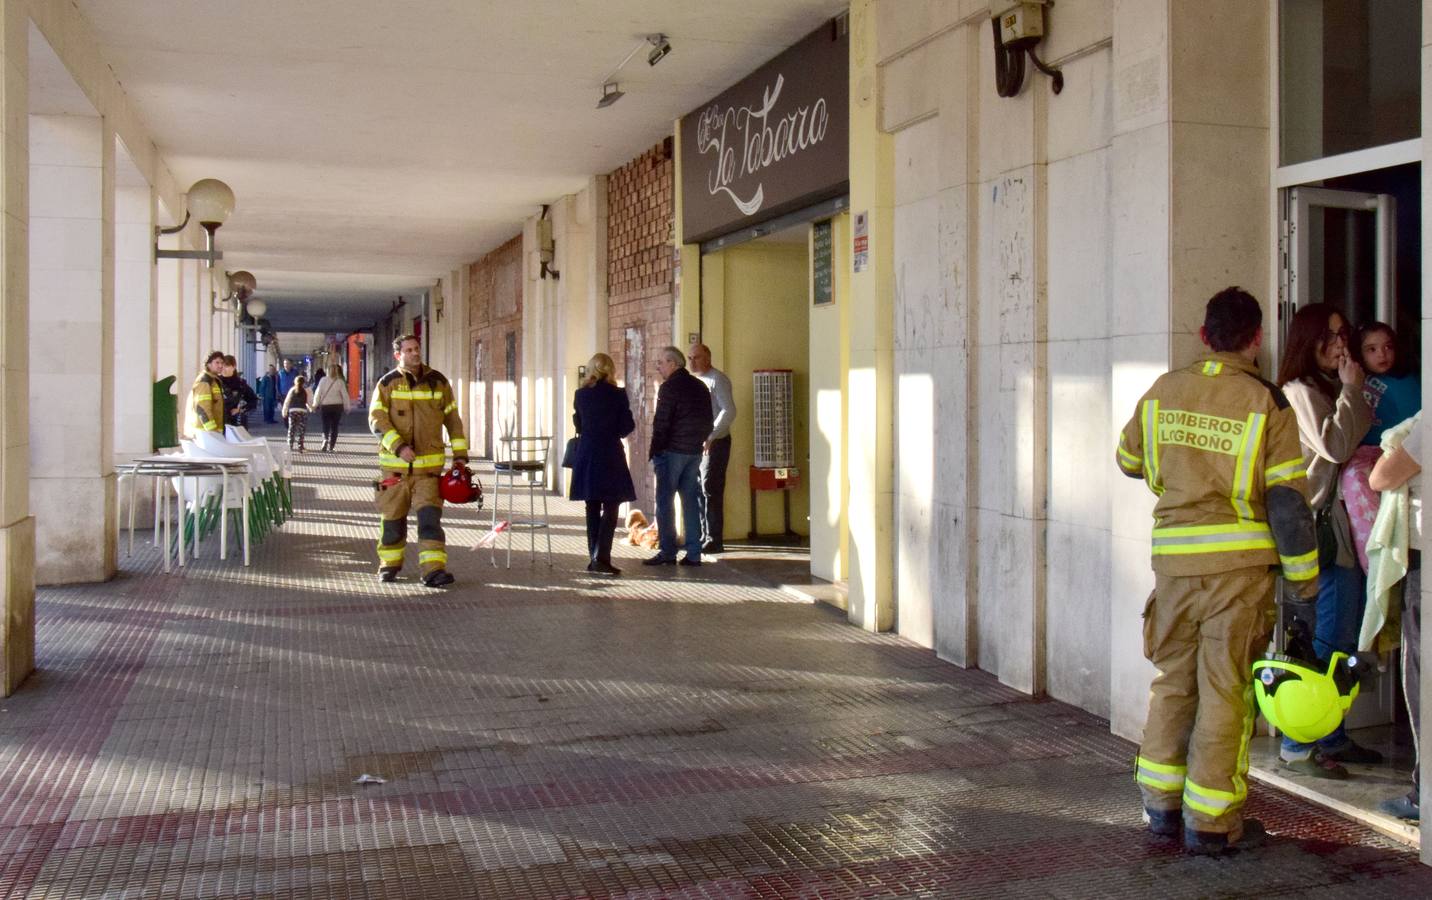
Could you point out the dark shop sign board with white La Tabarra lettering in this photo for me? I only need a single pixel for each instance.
(775, 143)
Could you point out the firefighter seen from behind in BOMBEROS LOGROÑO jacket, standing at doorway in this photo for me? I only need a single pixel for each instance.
(1219, 448)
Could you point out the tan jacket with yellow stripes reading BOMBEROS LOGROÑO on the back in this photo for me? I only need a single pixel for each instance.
(1209, 441)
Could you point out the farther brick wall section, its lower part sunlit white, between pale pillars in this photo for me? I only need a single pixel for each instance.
(495, 297)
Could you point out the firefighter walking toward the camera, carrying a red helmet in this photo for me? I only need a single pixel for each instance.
(410, 409)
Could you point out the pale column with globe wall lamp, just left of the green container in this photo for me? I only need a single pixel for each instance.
(135, 317)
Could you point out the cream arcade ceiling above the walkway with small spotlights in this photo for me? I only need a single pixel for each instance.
(376, 145)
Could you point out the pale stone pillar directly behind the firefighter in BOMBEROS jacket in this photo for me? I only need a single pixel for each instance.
(1189, 217)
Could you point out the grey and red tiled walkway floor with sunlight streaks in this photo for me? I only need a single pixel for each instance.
(542, 733)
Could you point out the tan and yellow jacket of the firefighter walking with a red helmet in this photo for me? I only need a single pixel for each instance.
(412, 411)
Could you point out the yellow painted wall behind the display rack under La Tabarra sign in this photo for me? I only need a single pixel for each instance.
(757, 316)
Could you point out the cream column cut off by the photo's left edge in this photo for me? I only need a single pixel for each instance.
(16, 525)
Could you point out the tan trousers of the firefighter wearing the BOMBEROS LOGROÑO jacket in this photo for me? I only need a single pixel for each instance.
(1202, 634)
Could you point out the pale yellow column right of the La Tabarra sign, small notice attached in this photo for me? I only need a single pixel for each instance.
(870, 398)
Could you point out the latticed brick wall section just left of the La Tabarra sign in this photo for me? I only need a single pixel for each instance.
(641, 223)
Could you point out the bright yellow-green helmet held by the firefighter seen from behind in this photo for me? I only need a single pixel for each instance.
(1300, 700)
